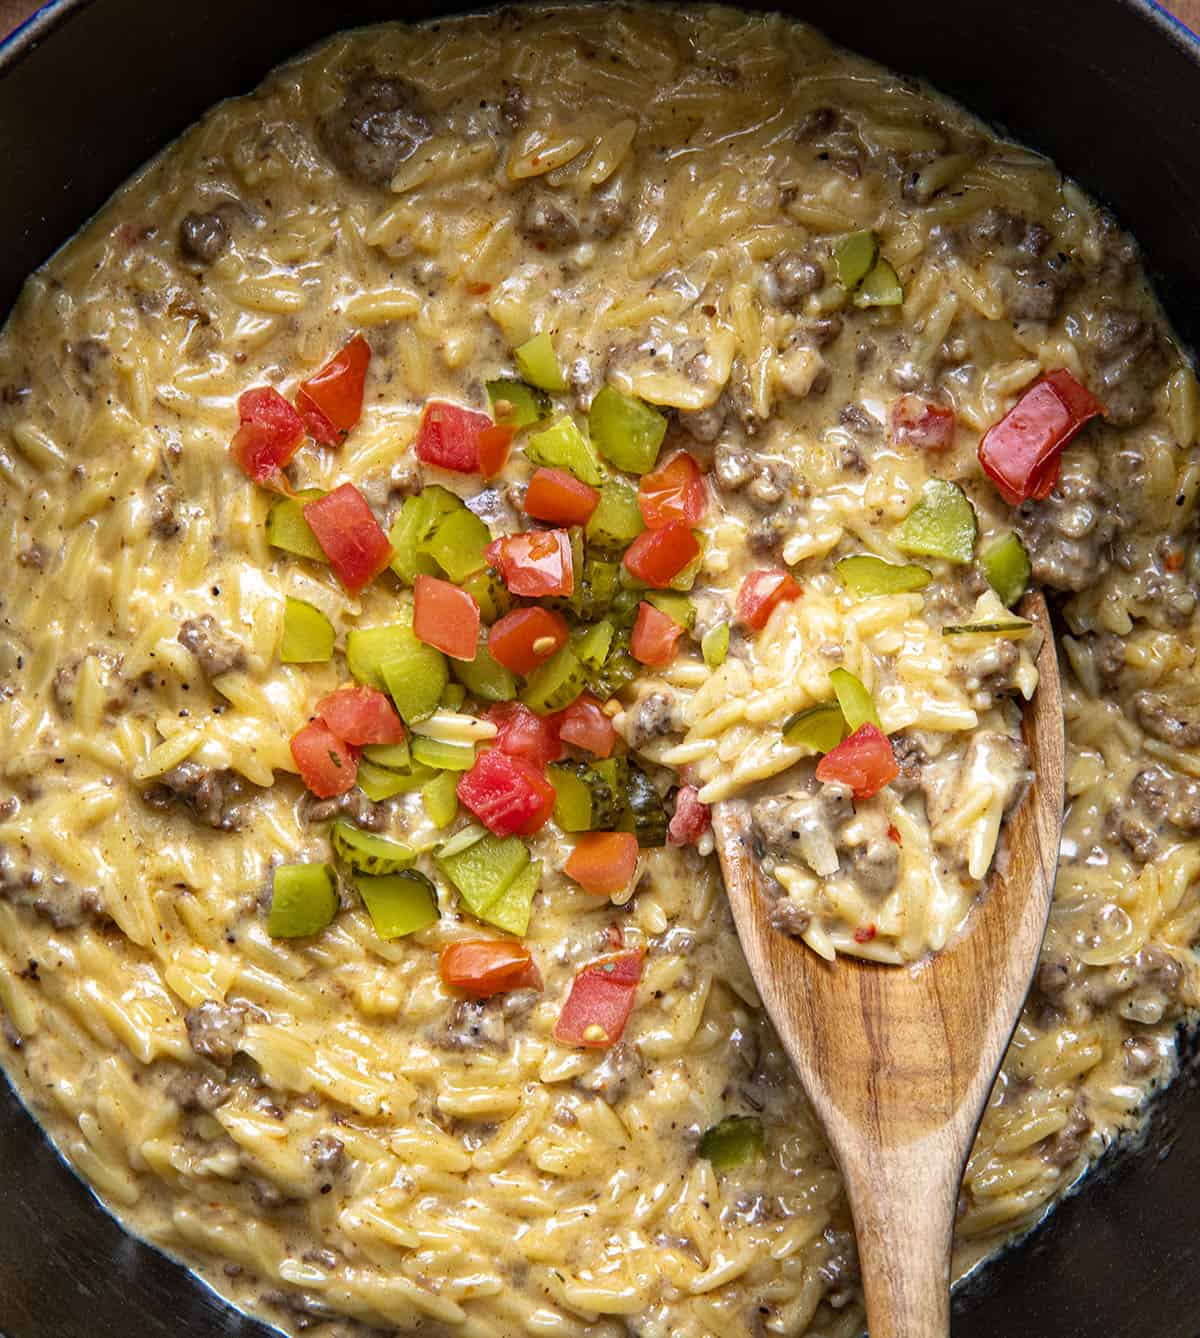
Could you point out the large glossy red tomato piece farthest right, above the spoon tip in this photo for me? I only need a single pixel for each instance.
(1023, 453)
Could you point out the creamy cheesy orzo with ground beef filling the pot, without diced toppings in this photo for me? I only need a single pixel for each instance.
(322, 1129)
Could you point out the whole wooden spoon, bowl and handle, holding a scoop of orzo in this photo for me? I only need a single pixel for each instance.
(900, 1062)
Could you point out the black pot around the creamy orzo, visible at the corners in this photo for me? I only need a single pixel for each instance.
(1110, 89)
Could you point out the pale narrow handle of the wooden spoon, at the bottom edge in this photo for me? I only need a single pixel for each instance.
(904, 1202)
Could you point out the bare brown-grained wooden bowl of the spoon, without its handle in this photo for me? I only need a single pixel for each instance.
(890, 1055)
